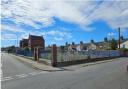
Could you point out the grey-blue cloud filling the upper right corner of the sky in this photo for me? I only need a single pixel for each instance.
(113, 12)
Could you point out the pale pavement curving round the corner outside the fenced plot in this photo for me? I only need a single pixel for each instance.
(44, 67)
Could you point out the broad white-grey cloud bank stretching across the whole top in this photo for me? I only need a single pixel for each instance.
(80, 12)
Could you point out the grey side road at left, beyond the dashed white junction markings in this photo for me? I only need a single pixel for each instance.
(12, 66)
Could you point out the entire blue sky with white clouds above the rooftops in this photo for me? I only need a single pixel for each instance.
(60, 21)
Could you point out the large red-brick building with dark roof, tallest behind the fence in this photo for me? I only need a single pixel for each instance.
(36, 41)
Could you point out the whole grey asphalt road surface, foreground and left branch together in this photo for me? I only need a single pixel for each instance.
(110, 75)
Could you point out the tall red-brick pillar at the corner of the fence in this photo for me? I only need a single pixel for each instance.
(54, 55)
